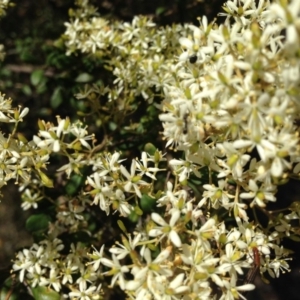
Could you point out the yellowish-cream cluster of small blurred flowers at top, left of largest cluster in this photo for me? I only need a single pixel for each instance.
(140, 55)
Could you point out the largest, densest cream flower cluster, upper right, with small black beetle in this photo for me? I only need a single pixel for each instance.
(236, 97)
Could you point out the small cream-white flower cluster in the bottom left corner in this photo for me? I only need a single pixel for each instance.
(45, 266)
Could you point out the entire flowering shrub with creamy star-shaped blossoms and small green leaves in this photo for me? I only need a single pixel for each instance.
(227, 97)
